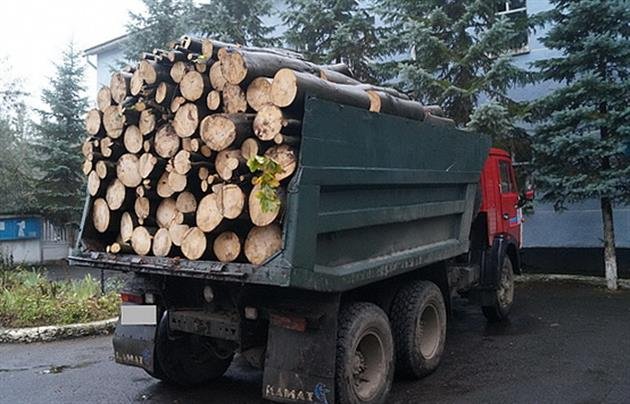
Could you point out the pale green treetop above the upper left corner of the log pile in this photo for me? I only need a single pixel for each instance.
(164, 21)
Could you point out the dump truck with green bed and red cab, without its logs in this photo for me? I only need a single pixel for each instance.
(386, 219)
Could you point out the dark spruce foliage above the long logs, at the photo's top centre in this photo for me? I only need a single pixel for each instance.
(334, 31)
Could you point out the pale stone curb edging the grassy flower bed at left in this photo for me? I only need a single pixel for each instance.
(56, 332)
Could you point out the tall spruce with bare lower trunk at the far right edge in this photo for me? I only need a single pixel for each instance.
(585, 125)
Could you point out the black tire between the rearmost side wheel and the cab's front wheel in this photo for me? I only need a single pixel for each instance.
(418, 317)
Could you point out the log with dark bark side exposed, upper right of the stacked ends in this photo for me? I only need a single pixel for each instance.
(221, 131)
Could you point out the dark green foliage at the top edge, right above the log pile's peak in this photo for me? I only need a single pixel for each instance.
(237, 21)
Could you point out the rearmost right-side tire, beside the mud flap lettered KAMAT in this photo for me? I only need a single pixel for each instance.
(365, 355)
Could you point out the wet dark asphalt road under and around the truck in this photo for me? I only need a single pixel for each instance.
(565, 343)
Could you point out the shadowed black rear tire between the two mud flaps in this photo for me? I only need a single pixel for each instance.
(187, 359)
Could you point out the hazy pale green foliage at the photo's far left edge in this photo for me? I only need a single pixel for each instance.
(15, 181)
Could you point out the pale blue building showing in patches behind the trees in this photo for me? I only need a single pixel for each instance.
(569, 241)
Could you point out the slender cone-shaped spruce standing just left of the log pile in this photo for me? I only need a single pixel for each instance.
(59, 186)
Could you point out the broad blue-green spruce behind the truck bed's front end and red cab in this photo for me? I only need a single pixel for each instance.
(454, 53)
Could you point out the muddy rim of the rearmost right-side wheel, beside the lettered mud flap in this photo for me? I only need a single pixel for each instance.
(368, 366)
